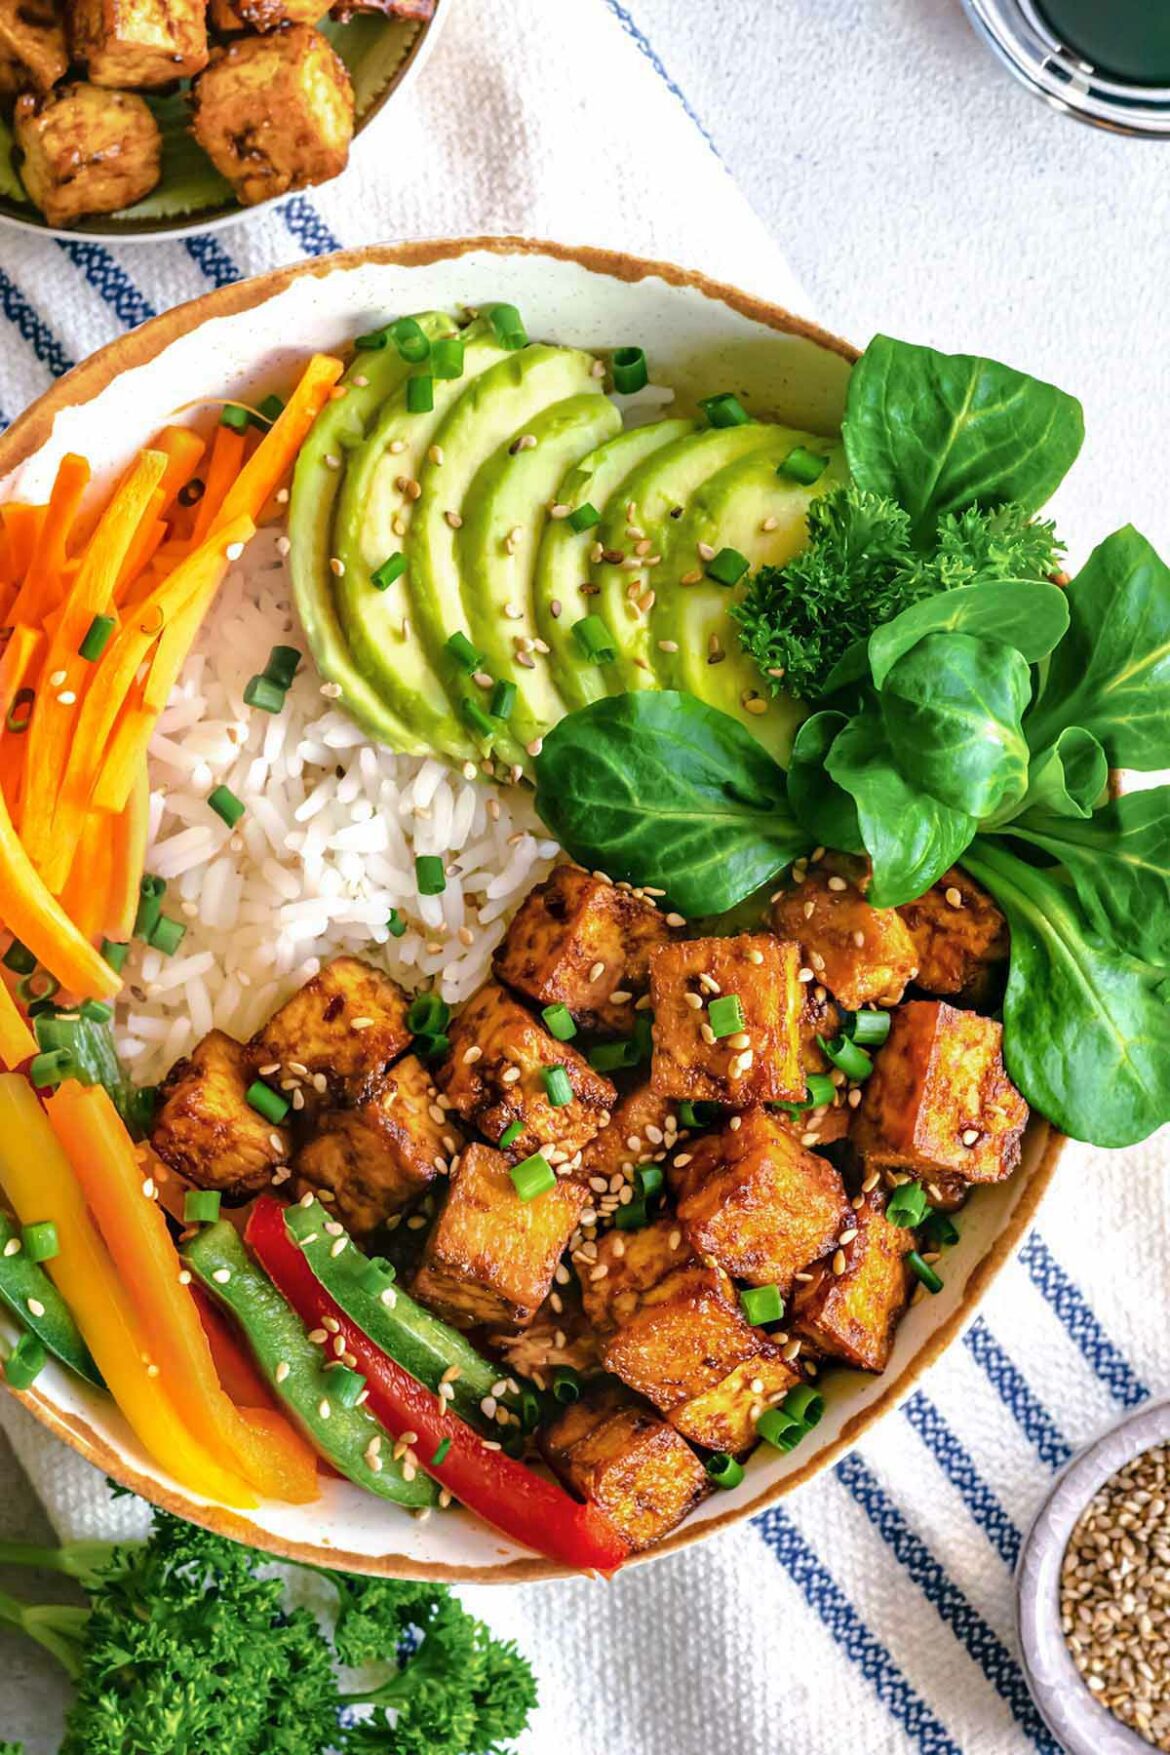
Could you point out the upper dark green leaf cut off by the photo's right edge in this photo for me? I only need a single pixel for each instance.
(1111, 673)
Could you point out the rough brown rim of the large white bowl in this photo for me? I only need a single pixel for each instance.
(27, 434)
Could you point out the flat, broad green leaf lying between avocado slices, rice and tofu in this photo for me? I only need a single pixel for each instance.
(659, 789)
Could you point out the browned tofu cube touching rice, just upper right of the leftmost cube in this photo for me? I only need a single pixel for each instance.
(343, 1028)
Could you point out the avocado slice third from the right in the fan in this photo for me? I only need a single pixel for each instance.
(564, 559)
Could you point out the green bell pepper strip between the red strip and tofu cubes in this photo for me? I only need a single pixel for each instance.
(422, 1343)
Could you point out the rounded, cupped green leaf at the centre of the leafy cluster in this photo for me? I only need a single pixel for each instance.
(953, 712)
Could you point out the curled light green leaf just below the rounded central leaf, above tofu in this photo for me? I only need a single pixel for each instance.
(911, 838)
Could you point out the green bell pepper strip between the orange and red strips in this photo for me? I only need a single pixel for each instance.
(297, 1368)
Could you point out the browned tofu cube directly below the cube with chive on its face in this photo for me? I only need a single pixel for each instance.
(764, 1207)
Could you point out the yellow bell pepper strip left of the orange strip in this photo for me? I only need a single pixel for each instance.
(38, 1178)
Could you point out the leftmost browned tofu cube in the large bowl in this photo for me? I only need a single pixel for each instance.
(208, 1131)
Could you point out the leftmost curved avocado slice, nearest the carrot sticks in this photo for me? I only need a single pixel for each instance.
(315, 498)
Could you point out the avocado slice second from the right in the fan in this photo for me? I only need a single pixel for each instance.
(641, 517)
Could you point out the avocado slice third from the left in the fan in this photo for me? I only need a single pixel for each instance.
(494, 410)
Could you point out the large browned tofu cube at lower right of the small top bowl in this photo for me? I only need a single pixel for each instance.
(275, 113)
